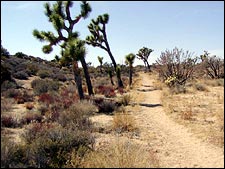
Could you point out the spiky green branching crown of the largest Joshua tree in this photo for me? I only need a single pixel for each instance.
(58, 14)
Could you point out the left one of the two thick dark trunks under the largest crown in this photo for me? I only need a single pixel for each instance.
(78, 80)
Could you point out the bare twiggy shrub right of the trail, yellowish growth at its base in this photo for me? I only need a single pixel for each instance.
(176, 66)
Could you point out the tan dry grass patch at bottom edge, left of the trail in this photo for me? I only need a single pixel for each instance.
(121, 154)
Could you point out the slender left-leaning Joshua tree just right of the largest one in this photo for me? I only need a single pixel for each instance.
(98, 38)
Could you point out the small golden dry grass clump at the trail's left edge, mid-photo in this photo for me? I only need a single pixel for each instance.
(122, 122)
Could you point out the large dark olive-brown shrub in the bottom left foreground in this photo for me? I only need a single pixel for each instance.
(50, 145)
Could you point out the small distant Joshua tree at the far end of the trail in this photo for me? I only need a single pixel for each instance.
(143, 54)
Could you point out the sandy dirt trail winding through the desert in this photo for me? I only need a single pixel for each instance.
(174, 144)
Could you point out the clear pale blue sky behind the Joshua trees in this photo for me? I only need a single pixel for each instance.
(160, 25)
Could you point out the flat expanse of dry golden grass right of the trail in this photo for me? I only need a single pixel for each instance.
(201, 110)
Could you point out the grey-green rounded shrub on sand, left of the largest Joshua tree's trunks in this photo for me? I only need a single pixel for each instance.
(44, 85)
